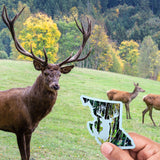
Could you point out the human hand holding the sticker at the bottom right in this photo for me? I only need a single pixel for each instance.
(145, 149)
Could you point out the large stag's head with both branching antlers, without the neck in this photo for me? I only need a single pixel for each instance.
(50, 72)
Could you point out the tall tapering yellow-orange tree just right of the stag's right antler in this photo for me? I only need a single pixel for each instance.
(101, 55)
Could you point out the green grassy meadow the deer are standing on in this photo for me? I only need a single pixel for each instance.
(63, 134)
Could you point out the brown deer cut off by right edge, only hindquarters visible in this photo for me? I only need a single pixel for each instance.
(152, 101)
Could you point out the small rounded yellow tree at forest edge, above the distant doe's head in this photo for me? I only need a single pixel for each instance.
(128, 51)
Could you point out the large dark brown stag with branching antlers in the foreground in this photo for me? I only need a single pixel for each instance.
(21, 109)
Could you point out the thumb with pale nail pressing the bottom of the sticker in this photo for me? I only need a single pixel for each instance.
(113, 152)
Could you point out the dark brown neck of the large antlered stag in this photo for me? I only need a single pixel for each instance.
(40, 100)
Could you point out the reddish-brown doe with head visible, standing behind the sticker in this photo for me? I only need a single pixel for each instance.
(125, 97)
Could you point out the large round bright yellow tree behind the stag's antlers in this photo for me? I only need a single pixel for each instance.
(40, 31)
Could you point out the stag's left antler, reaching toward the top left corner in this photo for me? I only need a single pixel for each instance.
(10, 25)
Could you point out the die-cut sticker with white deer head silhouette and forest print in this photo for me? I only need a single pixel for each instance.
(107, 123)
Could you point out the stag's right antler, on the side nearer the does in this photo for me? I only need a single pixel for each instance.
(86, 35)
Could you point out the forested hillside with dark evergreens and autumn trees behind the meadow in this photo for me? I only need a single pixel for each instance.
(125, 38)
